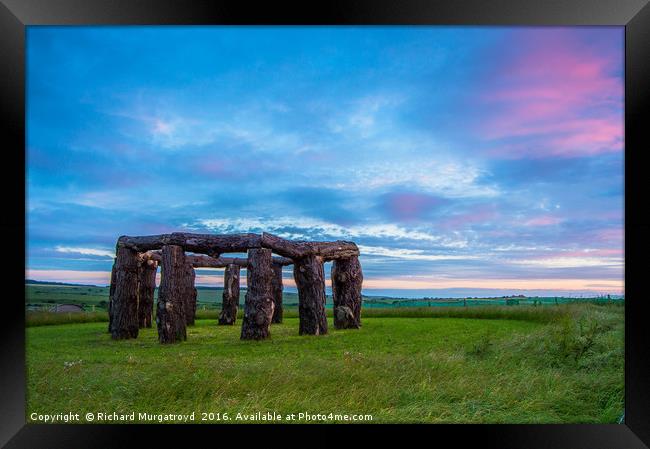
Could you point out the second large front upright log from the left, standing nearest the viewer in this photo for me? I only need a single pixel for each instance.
(171, 300)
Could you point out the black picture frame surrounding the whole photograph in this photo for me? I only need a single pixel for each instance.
(15, 15)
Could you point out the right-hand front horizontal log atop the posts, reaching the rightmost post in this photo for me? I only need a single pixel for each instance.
(299, 249)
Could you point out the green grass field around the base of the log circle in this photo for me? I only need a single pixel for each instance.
(559, 364)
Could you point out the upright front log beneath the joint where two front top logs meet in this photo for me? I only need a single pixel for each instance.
(258, 306)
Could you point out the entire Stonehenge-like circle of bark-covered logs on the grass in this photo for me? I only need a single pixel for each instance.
(133, 280)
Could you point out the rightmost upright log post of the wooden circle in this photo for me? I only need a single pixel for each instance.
(347, 278)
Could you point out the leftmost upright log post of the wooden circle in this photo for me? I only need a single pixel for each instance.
(124, 305)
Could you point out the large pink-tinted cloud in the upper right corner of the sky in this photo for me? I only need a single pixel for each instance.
(562, 97)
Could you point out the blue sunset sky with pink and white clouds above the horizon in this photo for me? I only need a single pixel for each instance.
(461, 160)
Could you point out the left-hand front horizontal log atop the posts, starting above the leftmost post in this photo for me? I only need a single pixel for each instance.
(211, 244)
